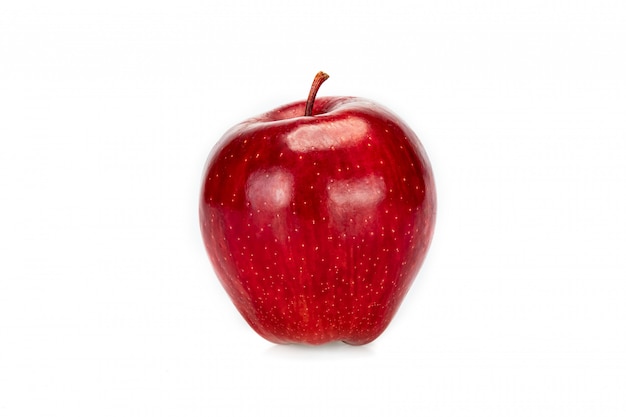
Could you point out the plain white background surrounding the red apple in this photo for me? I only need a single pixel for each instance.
(108, 110)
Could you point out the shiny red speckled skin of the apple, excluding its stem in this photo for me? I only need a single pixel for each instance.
(317, 225)
